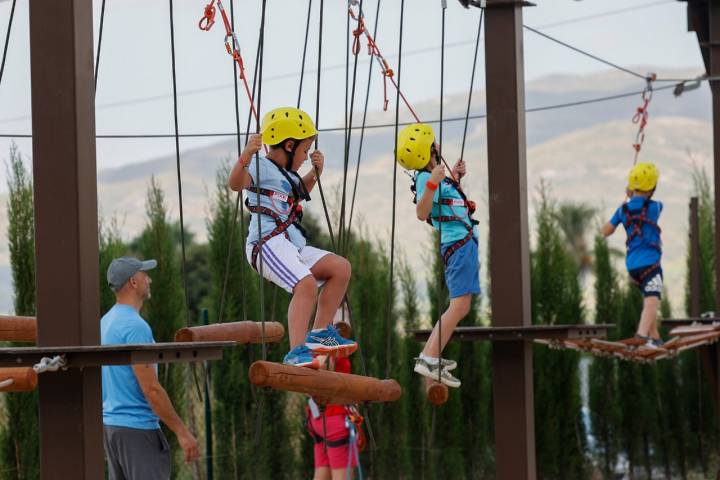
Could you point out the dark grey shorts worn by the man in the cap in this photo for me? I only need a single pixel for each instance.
(134, 454)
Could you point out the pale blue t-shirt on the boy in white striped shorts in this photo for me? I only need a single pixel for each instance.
(272, 179)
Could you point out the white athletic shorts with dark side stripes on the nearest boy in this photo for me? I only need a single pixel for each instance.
(283, 263)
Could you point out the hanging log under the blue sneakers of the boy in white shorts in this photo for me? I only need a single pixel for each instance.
(327, 386)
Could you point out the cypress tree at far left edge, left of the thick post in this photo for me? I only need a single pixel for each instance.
(19, 440)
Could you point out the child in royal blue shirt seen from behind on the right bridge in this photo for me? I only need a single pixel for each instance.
(639, 215)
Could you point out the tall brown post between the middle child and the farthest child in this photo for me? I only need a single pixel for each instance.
(509, 244)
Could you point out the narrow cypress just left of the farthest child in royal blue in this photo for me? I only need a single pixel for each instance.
(603, 377)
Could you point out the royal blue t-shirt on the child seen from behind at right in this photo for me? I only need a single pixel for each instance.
(643, 250)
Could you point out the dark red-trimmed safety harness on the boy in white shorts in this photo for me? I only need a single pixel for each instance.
(295, 213)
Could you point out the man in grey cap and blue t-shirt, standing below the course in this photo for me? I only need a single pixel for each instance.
(133, 400)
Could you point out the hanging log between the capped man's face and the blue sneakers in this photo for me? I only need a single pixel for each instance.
(240, 332)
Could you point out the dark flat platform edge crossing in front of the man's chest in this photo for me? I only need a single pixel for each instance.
(126, 354)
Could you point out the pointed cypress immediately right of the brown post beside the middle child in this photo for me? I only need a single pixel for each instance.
(556, 299)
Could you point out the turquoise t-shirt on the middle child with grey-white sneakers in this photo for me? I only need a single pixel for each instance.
(451, 231)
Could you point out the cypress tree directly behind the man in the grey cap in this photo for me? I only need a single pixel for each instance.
(165, 310)
